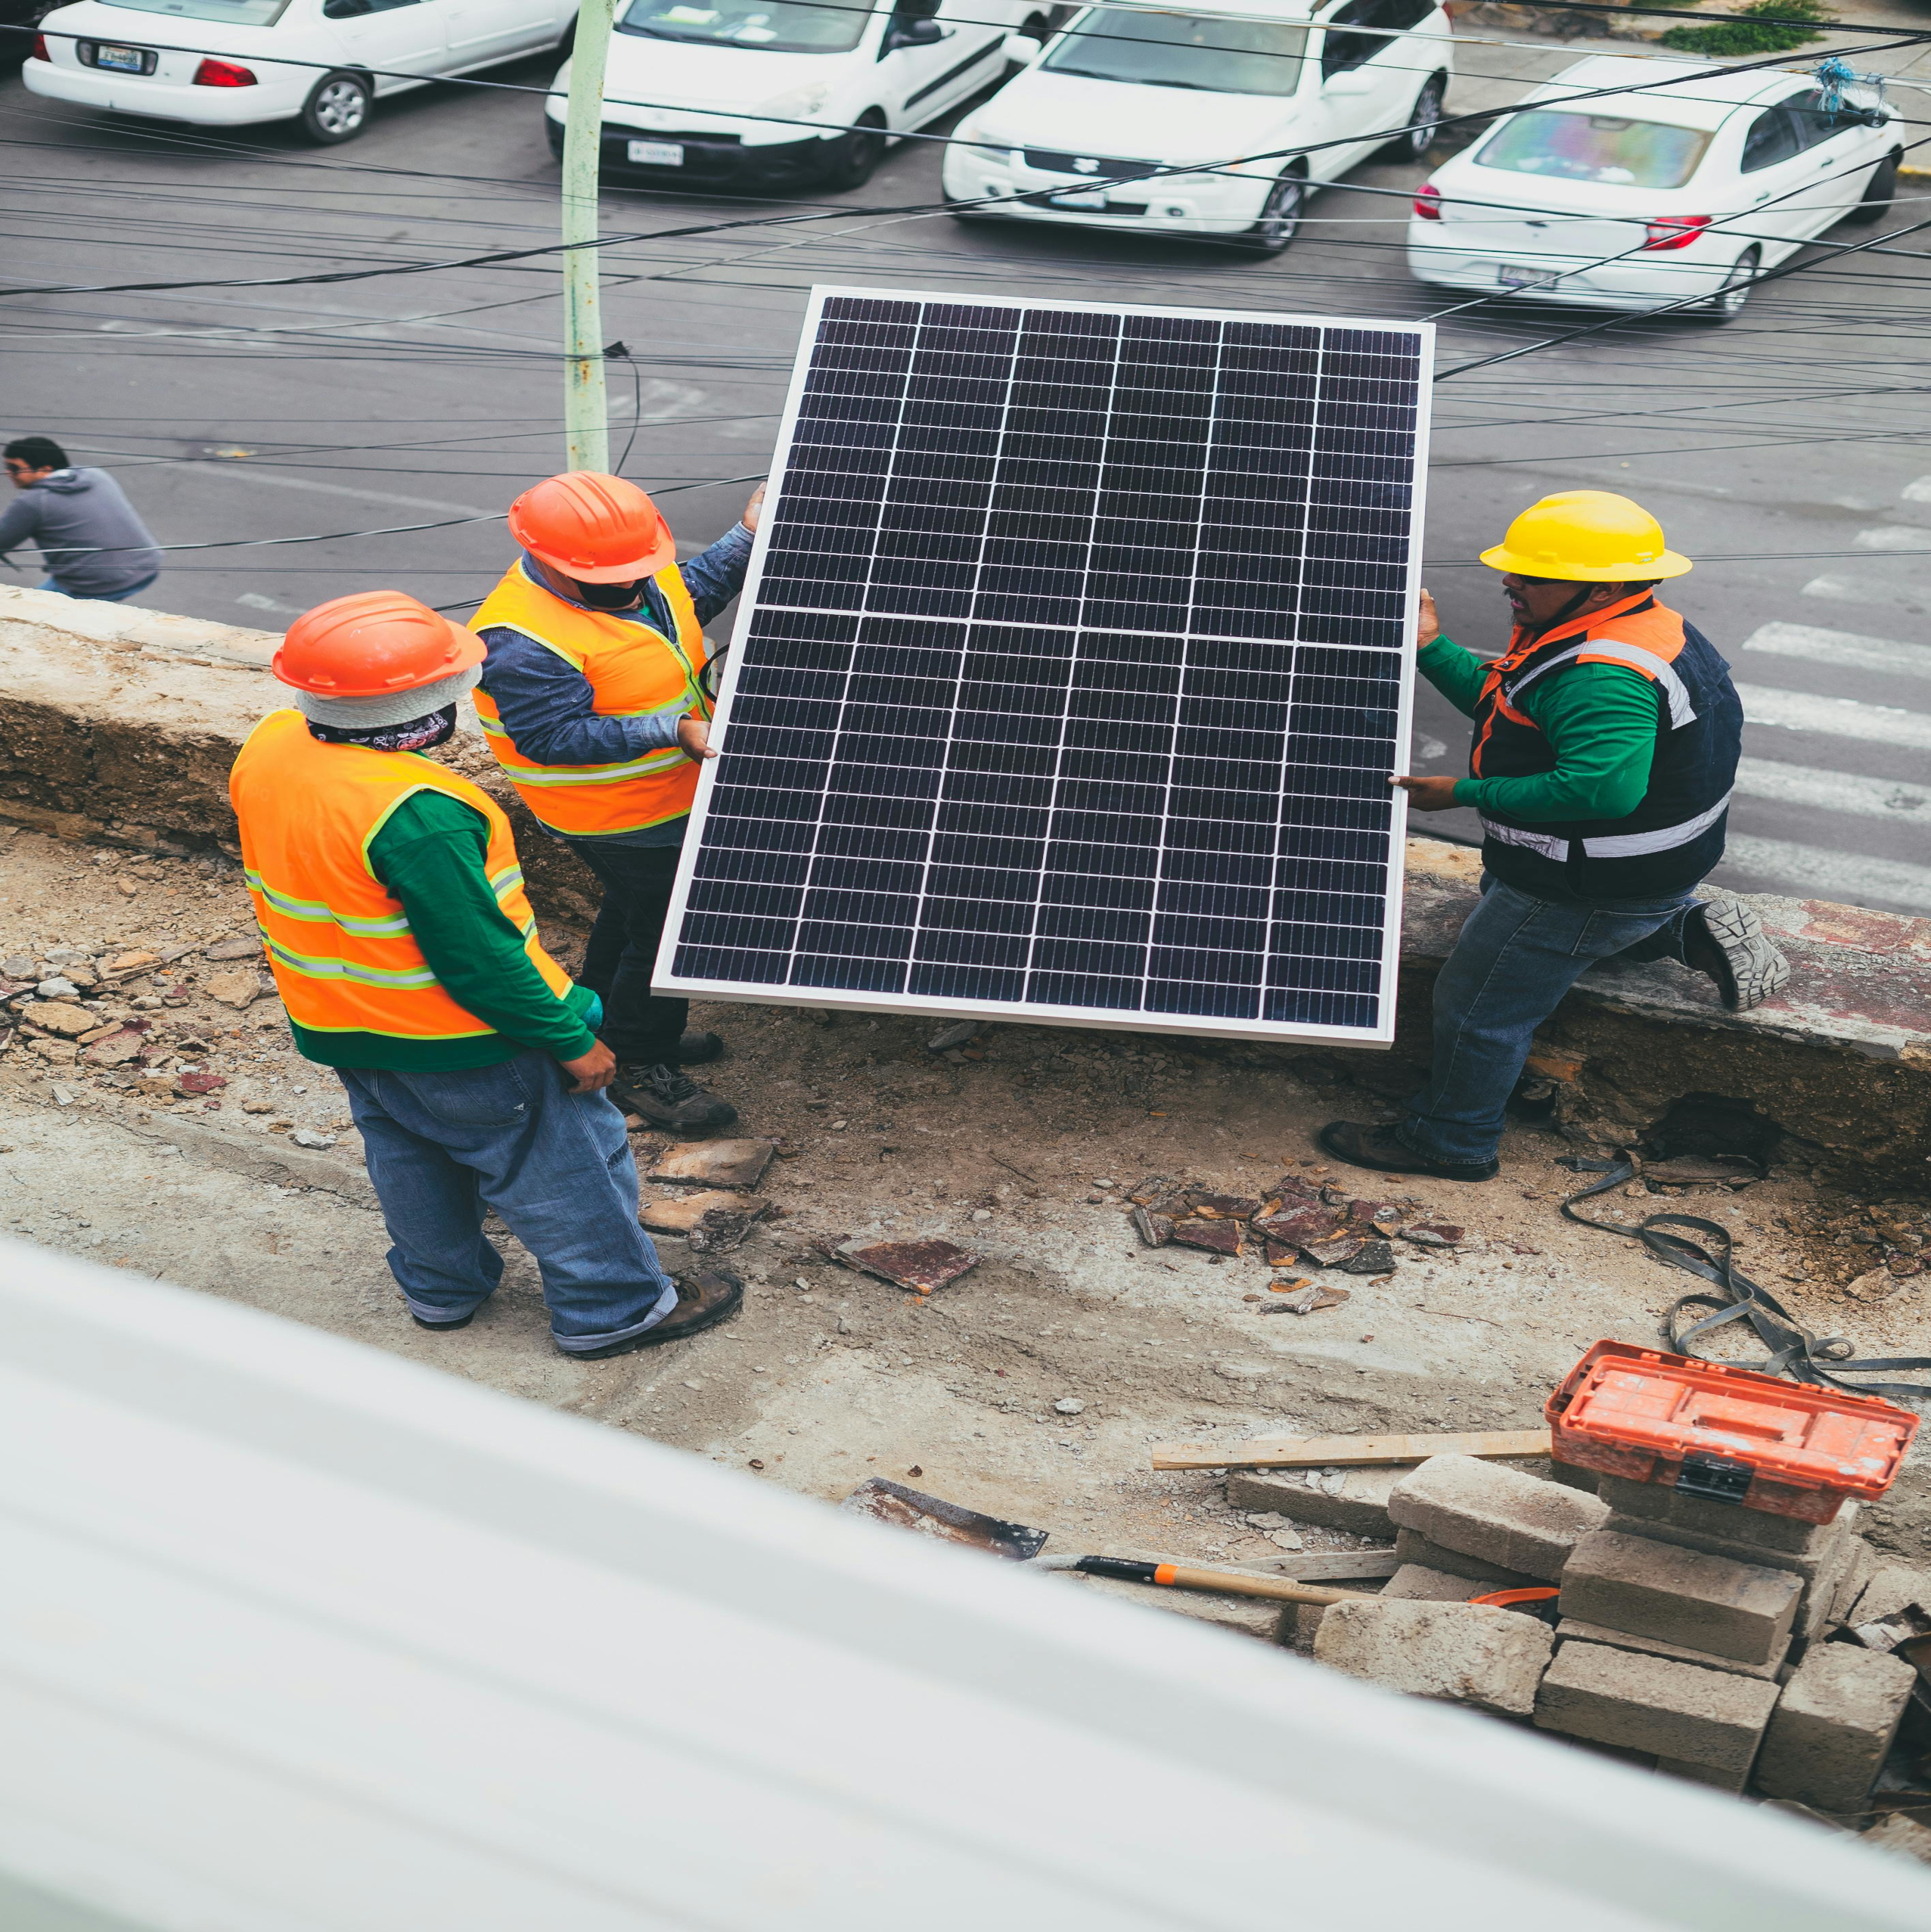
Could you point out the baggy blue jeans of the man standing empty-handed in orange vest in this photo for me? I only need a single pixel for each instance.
(553, 1164)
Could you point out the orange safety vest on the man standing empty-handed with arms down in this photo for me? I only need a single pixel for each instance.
(341, 946)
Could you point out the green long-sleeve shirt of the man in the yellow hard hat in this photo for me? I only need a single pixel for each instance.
(1600, 720)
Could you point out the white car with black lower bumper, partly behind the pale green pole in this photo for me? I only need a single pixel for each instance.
(793, 92)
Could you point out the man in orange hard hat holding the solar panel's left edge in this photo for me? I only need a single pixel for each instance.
(594, 700)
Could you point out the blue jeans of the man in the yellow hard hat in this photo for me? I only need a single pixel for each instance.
(1509, 971)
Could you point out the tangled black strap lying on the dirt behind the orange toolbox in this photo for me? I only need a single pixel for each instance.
(1793, 1350)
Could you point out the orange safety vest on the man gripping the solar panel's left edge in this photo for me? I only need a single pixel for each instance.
(636, 673)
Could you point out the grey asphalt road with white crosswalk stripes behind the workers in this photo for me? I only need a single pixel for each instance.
(1785, 451)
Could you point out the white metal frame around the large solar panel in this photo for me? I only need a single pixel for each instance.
(862, 1000)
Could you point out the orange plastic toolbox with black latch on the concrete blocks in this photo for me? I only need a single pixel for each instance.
(1725, 1435)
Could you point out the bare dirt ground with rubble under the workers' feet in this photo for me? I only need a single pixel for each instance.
(1021, 1147)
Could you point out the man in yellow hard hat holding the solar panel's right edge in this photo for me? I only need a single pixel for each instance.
(1606, 749)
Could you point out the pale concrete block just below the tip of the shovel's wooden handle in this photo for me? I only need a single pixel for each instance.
(1457, 1653)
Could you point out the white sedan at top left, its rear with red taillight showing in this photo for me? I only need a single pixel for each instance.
(235, 63)
